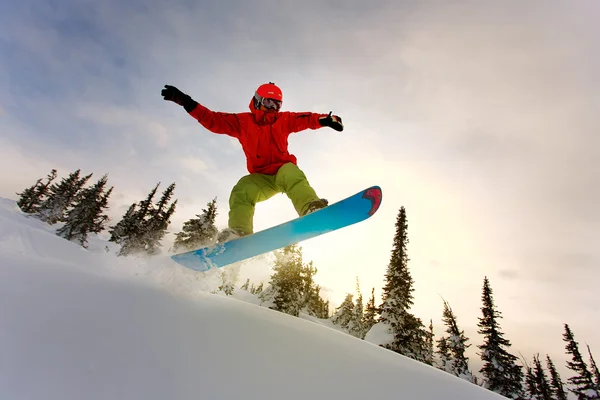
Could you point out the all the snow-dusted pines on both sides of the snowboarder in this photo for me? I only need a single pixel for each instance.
(80, 211)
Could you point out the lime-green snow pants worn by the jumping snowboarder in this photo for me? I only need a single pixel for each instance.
(254, 188)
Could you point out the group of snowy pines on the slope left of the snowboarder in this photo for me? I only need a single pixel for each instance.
(80, 210)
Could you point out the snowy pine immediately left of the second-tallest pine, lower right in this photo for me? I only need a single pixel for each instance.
(456, 343)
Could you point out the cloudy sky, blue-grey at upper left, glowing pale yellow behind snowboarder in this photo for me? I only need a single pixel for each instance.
(480, 118)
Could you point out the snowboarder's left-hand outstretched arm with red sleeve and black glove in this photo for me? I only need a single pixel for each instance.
(216, 122)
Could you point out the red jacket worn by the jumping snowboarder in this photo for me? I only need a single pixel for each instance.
(263, 135)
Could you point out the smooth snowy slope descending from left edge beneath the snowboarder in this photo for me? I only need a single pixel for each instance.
(81, 324)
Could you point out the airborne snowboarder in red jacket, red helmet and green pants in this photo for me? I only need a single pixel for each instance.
(263, 133)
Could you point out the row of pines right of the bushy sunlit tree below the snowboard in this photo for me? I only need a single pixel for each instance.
(394, 327)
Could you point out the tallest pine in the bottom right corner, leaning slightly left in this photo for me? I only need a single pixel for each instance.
(583, 385)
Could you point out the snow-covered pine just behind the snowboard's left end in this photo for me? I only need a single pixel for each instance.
(198, 232)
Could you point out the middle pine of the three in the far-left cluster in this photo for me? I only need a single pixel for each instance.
(60, 196)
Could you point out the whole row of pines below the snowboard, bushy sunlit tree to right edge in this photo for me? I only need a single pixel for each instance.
(391, 325)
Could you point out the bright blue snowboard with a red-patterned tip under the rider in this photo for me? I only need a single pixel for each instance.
(338, 215)
